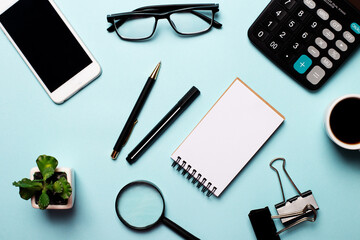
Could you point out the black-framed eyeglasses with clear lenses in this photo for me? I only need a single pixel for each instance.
(185, 19)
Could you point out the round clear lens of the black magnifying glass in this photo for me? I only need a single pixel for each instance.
(140, 206)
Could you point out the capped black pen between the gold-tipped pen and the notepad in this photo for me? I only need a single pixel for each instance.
(169, 118)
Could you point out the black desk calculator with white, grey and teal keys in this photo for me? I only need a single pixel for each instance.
(308, 39)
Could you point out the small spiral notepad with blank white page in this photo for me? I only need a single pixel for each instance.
(224, 141)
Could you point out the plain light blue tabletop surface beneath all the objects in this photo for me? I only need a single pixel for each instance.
(81, 132)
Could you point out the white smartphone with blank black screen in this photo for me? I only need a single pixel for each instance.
(49, 46)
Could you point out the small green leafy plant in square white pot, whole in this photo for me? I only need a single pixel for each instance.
(49, 187)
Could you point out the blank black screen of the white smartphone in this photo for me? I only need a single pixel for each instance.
(45, 40)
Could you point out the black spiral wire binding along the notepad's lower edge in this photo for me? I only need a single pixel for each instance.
(195, 180)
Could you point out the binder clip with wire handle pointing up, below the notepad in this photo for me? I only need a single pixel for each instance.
(293, 204)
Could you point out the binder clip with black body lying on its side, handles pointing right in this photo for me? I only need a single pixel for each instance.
(264, 226)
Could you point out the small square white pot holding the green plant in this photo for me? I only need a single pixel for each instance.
(70, 174)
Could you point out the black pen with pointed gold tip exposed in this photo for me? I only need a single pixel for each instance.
(132, 120)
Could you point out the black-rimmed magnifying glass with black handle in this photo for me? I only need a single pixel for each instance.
(141, 206)
